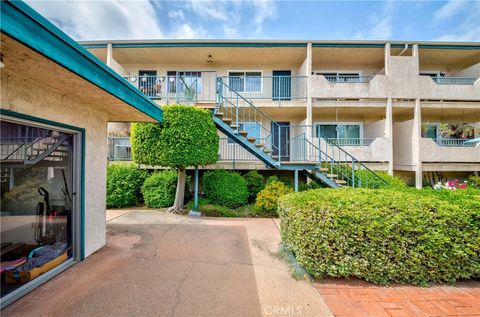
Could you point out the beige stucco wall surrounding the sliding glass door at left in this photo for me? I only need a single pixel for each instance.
(29, 97)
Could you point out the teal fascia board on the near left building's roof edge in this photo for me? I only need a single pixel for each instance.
(25, 25)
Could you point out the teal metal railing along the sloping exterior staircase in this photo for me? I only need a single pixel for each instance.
(339, 166)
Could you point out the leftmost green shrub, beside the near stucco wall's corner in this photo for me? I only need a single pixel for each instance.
(124, 183)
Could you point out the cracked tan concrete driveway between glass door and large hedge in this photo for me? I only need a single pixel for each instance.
(157, 264)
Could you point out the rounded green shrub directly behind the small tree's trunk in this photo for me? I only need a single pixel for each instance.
(160, 188)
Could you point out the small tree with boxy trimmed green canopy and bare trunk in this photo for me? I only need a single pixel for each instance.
(186, 137)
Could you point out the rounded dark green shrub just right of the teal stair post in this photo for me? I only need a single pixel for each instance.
(224, 188)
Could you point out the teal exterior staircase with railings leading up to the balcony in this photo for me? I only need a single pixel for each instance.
(323, 161)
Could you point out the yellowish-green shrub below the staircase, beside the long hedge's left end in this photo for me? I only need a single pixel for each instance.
(267, 198)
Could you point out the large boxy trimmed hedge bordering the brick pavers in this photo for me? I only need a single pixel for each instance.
(384, 235)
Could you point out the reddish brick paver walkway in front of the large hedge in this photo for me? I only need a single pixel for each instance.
(357, 298)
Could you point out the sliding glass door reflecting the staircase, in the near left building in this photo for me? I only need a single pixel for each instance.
(39, 205)
